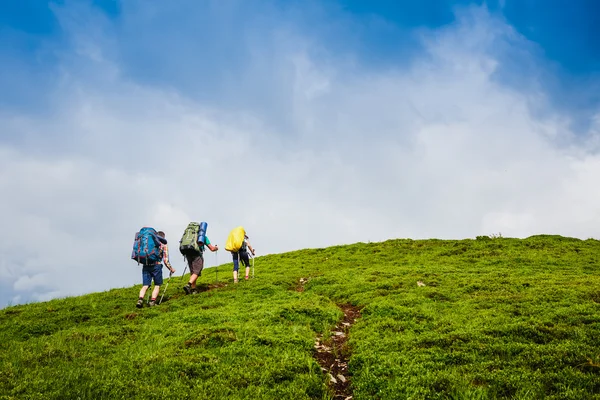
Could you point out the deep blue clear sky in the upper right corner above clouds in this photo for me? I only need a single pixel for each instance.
(566, 31)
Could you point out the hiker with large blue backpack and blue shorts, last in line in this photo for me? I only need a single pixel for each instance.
(152, 267)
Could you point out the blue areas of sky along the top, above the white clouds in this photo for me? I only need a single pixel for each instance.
(378, 33)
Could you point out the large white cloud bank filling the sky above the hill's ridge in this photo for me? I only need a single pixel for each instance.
(436, 148)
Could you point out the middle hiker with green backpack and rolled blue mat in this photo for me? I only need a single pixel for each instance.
(192, 247)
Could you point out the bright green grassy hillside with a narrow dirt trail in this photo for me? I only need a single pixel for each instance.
(490, 318)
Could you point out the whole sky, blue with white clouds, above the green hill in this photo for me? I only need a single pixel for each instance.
(311, 123)
